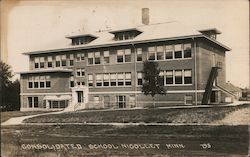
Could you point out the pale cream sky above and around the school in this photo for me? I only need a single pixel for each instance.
(34, 25)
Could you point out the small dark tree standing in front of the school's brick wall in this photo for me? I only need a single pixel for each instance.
(152, 80)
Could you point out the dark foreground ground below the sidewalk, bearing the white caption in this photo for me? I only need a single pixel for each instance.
(230, 141)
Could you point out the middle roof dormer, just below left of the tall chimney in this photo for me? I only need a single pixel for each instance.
(125, 34)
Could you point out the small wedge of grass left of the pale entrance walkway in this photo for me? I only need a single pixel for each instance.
(10, 114)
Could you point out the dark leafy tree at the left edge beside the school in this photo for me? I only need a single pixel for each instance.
(9, 91)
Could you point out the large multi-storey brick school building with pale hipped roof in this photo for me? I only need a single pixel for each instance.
(104, 69)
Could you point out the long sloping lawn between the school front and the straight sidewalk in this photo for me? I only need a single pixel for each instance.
(184, 115)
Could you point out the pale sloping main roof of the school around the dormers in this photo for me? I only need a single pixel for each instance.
(150, 33)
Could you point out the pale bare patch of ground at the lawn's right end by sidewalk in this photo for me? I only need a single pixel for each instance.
(241, 116)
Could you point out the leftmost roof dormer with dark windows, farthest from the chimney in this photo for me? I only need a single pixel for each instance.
(81, 39)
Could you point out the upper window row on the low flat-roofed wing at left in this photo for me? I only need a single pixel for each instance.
(39, 82)
